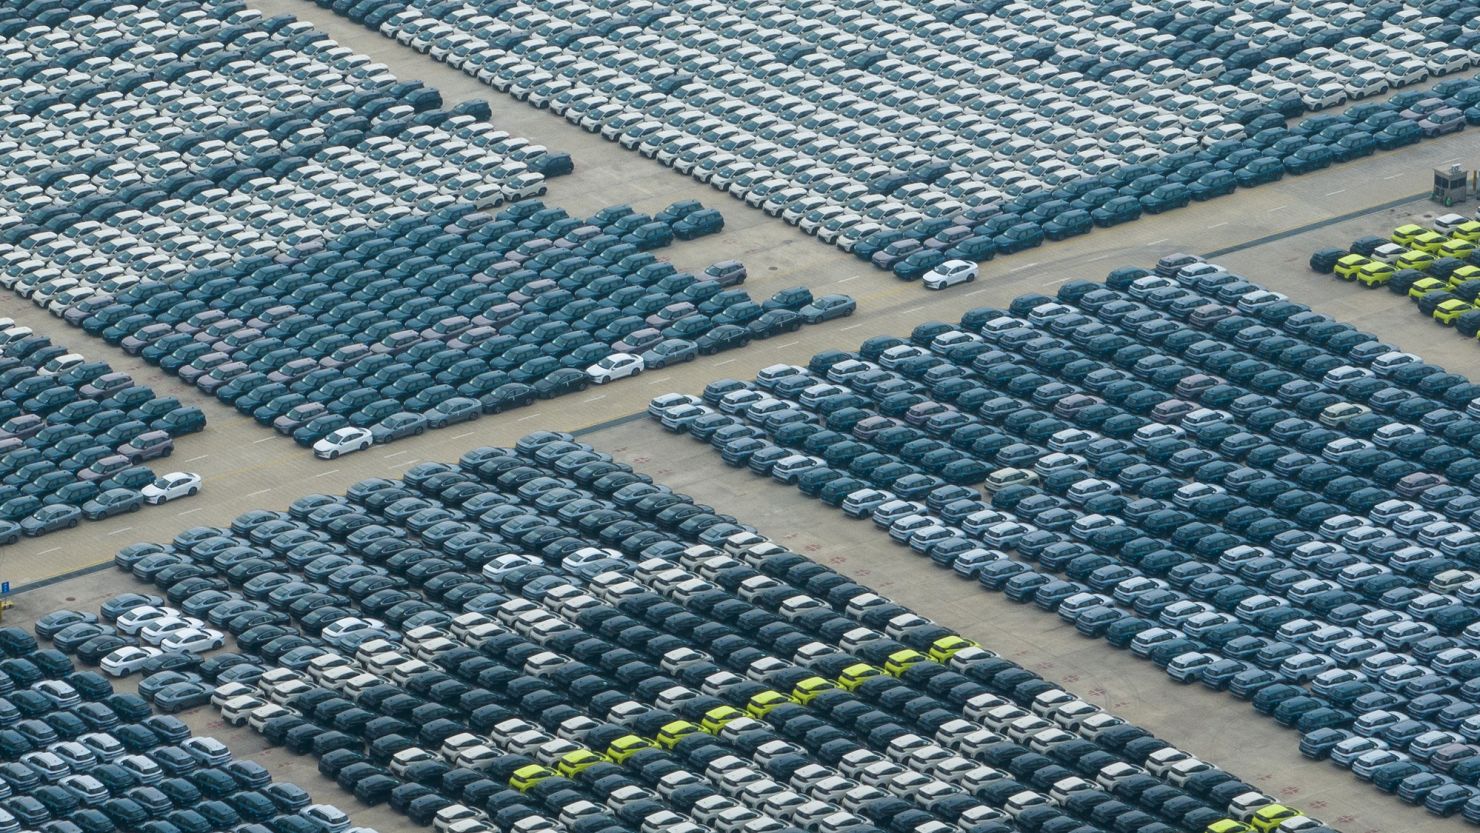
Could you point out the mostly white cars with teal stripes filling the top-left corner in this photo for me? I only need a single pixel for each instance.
(149, 146)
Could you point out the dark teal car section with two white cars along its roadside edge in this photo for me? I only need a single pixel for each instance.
(439, 319)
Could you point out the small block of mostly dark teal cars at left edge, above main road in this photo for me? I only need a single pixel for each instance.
(76, 436)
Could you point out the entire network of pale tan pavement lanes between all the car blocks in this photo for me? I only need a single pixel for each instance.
(1266, 233)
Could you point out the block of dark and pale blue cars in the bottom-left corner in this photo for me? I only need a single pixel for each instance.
(84, 758)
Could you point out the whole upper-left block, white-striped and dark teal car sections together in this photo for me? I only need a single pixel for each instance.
(403, 311)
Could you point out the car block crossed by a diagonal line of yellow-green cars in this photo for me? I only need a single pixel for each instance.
(534, 638)
